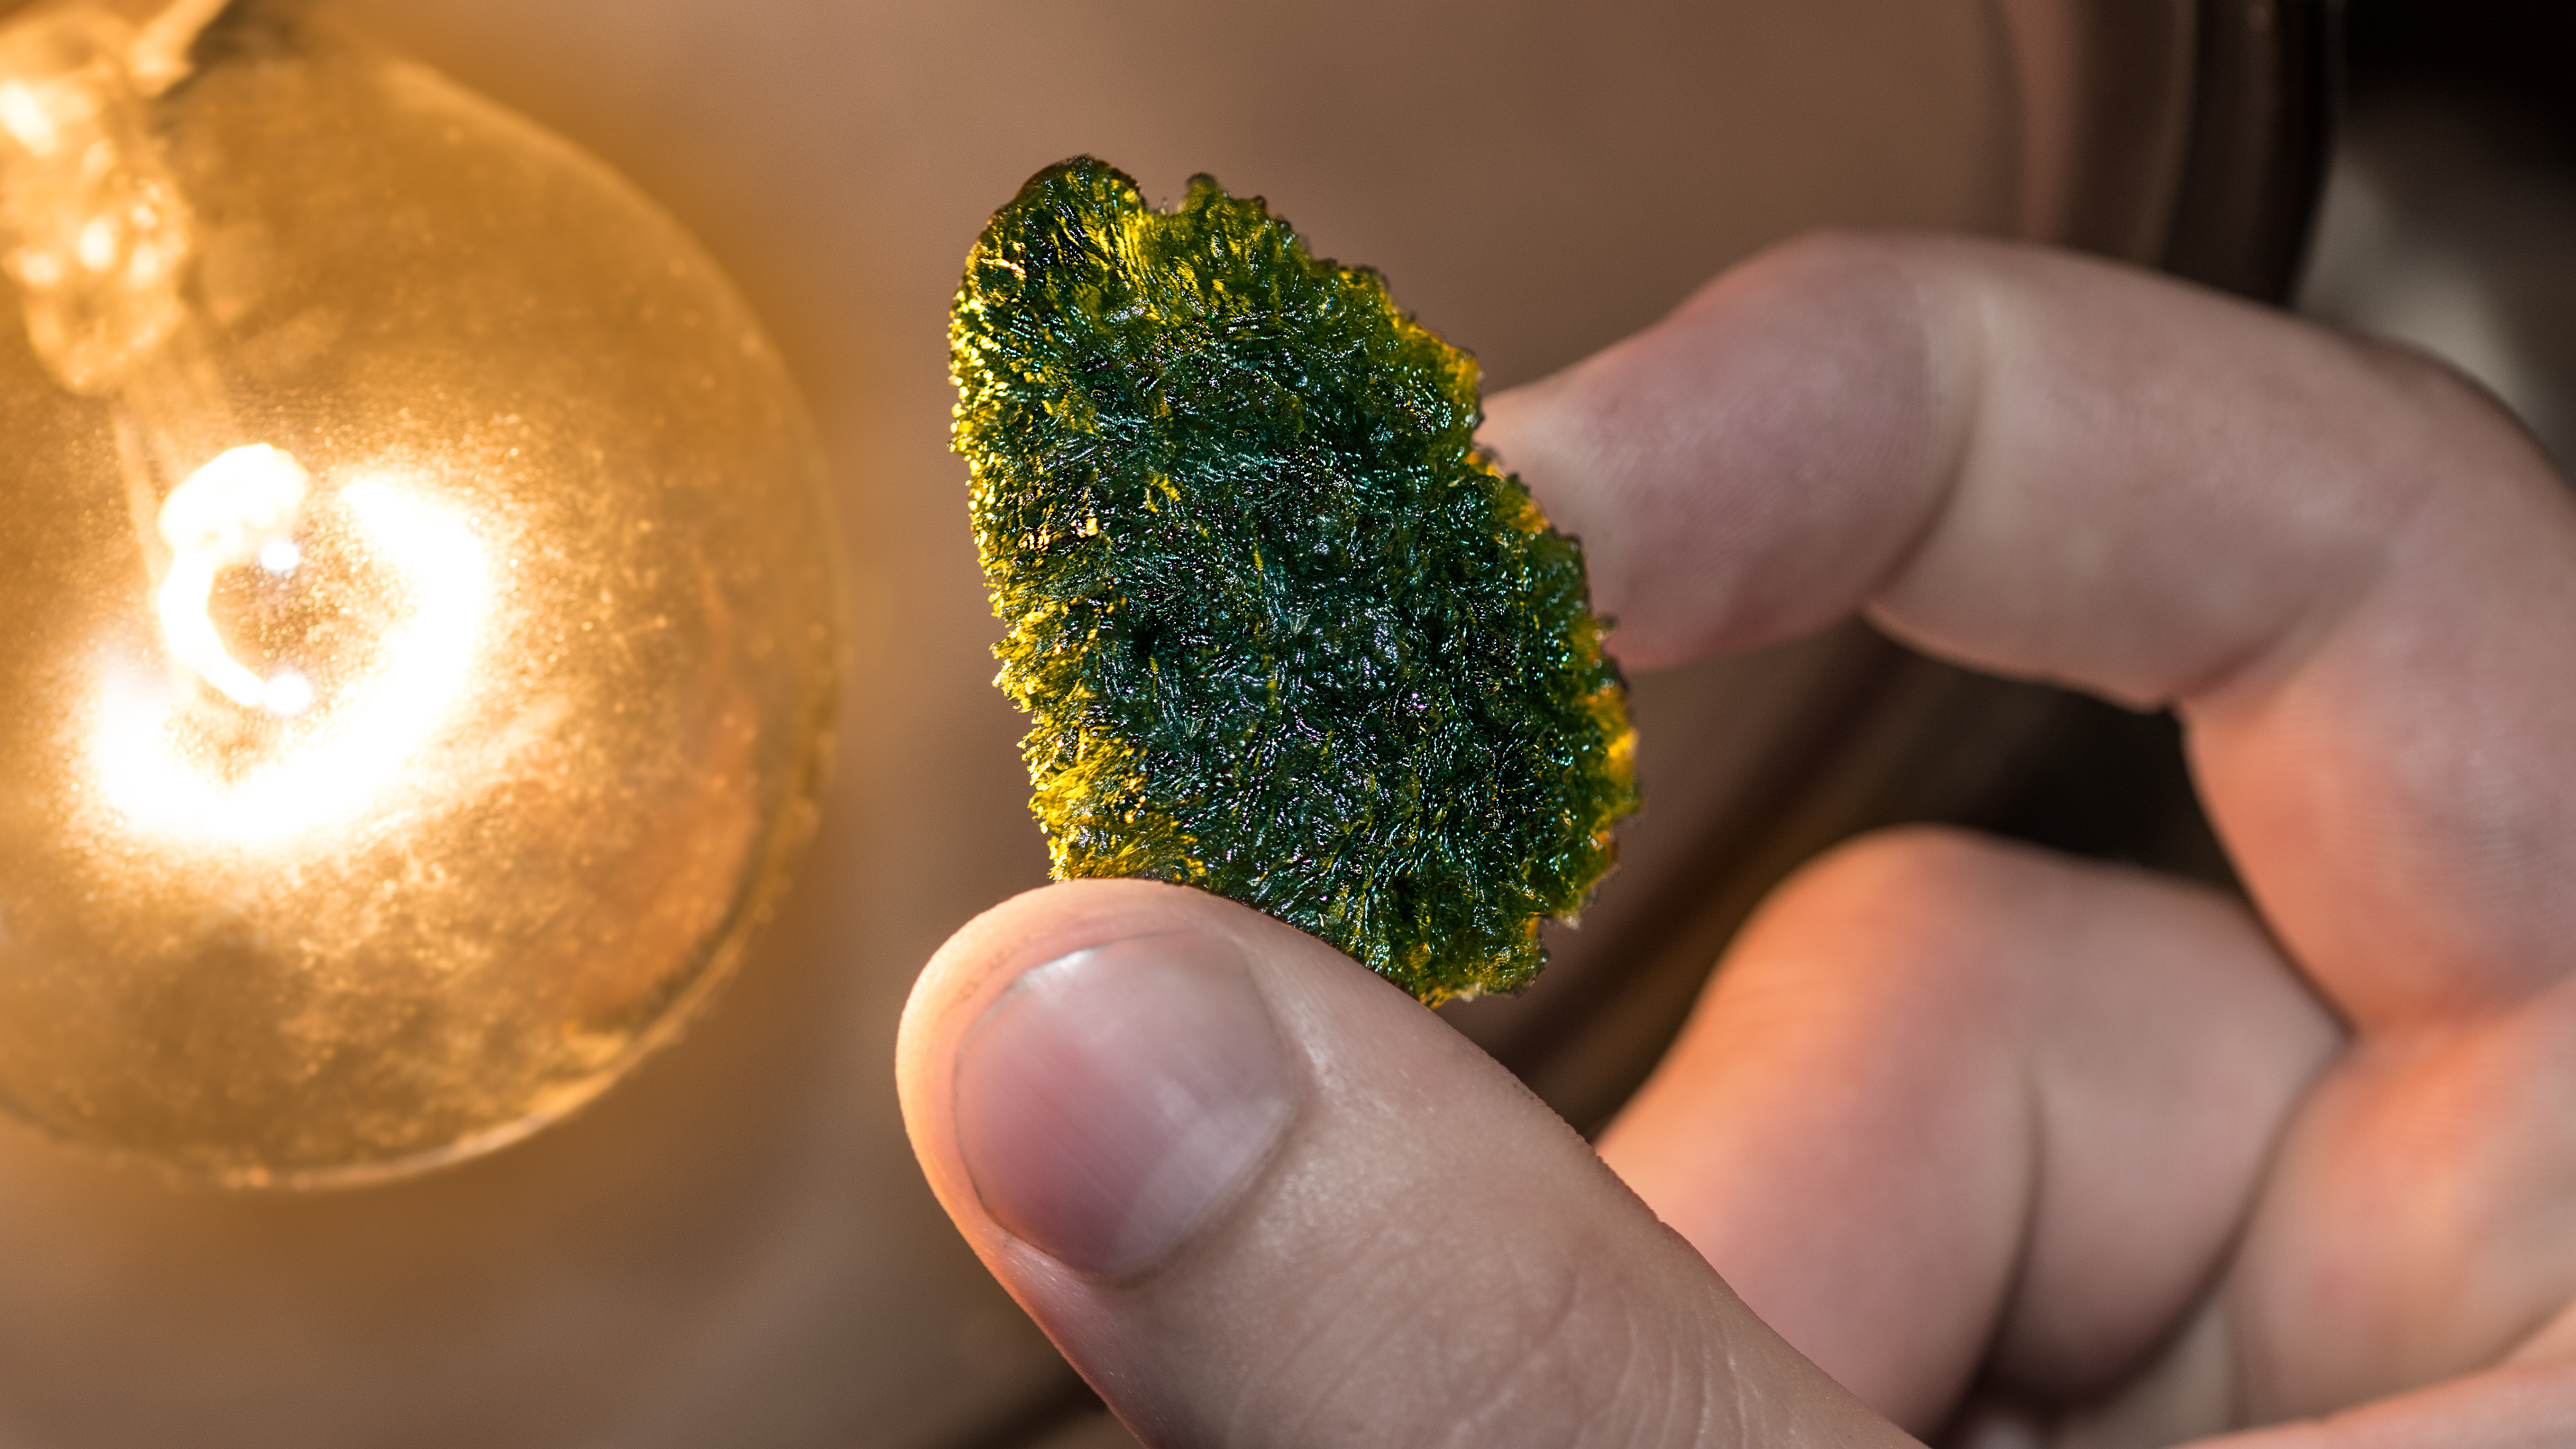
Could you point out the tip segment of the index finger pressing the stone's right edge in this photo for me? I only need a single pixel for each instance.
(1756, 463)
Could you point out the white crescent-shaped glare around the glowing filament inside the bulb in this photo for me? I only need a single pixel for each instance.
(357, 752)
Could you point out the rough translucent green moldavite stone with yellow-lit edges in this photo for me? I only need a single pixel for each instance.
(1282, 630)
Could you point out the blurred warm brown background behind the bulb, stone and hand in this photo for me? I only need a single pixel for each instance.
(735, 1247)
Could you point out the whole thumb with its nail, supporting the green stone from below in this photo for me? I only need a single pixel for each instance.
(1264, 1198)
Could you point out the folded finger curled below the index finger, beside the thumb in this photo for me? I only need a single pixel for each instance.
(1956, 1105)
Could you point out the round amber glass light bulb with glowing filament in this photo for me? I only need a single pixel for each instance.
(419, 607)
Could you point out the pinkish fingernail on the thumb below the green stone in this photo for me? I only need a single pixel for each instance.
(1114, 1102)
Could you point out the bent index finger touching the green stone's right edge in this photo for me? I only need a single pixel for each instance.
(2348, 571)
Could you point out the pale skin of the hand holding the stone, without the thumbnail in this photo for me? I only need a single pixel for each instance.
(1964, 1138)
